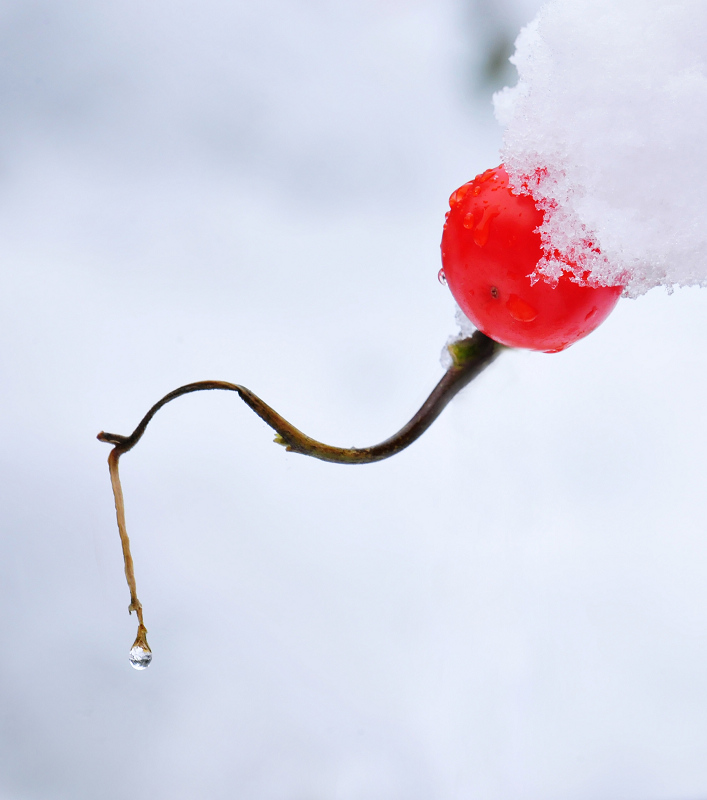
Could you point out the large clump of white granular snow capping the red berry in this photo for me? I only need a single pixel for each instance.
(607, 128)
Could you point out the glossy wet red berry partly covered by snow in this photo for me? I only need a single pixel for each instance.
(490, 247)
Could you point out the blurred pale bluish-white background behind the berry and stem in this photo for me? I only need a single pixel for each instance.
(516, 607)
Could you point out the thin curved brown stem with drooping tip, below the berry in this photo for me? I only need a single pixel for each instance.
(469, 357)
